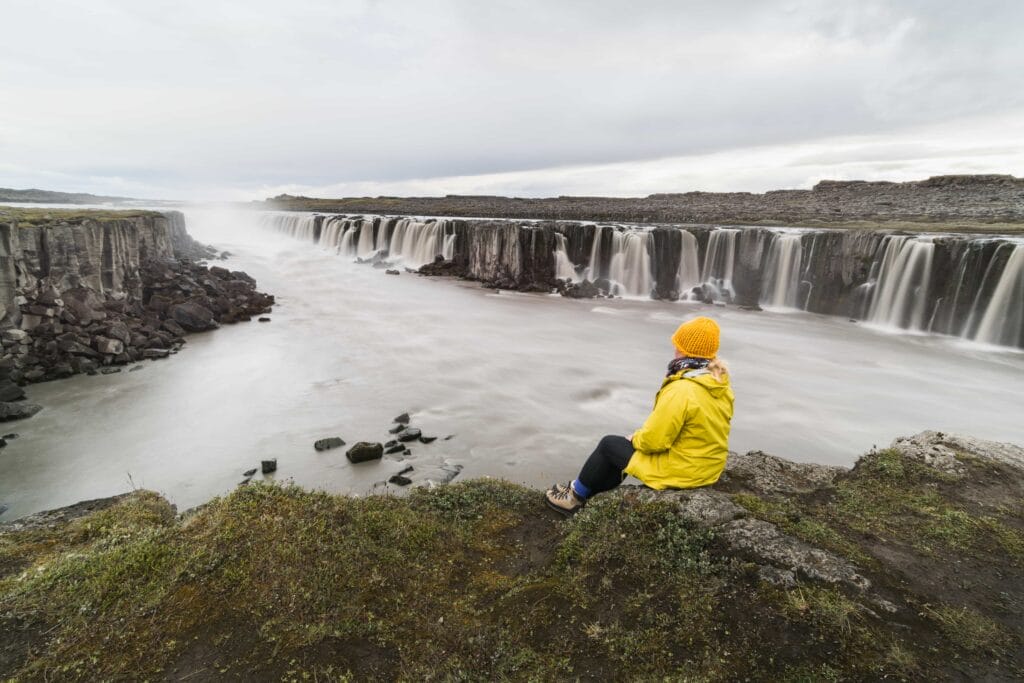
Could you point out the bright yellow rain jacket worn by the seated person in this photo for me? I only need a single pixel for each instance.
(686, 441)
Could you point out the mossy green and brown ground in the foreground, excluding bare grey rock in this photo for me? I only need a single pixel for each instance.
(479, 581)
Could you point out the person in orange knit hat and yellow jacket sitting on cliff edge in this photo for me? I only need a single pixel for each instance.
(686, 441)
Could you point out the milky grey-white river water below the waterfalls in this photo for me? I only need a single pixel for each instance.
(527, 383)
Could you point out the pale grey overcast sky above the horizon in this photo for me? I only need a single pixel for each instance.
(216, 100)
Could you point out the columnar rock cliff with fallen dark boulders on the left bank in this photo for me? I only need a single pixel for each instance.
(88, 292)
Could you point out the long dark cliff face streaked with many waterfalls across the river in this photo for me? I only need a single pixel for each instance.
(961, 285)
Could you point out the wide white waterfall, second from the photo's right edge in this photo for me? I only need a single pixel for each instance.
(901, 297)
